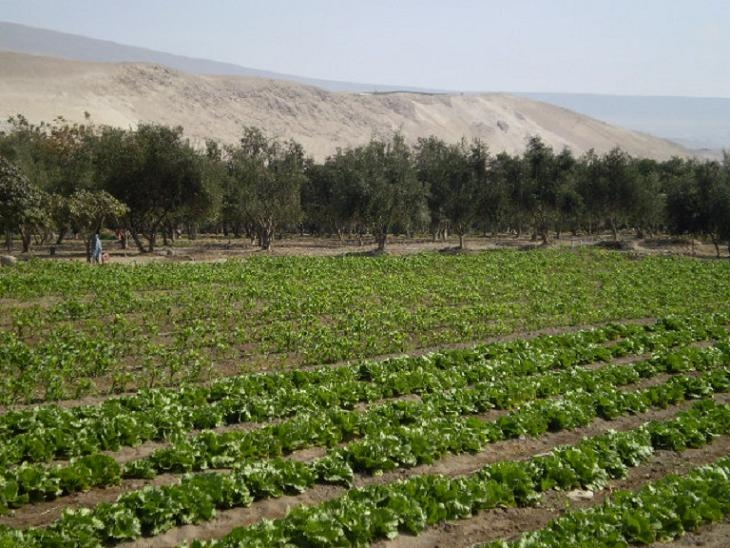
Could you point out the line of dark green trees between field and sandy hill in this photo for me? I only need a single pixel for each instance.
(58, 178)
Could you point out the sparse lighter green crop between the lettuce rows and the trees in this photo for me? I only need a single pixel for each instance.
(175, 322)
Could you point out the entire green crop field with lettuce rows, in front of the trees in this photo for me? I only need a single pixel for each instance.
(507, 398)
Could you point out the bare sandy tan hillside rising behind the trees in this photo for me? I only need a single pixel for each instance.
(218, 107)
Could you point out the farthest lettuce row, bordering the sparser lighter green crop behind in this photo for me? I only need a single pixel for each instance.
(50, 432)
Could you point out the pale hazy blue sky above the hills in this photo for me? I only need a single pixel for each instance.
(642, 47)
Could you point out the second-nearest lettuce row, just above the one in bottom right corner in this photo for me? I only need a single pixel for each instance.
(422, 501)
